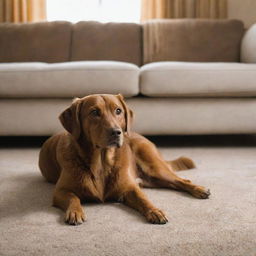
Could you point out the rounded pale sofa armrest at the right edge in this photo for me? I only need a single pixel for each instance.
(248, 46)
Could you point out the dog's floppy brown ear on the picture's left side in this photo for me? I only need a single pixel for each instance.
(70, 120)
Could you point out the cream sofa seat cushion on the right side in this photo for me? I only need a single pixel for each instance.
(167, 79)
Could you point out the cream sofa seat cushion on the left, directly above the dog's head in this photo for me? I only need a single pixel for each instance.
(67, 79)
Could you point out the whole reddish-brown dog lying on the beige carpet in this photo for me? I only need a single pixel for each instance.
(99, 158)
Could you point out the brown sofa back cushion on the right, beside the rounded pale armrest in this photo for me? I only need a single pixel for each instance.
(192, 40)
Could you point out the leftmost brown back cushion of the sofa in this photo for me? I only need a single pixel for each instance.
(43, 41)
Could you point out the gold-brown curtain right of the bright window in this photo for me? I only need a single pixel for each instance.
(166, 9)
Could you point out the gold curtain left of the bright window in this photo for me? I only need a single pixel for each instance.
(17, 11)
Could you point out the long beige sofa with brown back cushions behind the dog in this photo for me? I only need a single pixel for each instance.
(179, 76)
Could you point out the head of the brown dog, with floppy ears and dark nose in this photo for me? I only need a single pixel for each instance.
(101, 119)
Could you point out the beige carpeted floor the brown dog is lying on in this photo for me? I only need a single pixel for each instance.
(225, 224)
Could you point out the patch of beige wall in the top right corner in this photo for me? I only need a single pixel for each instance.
(244, 10)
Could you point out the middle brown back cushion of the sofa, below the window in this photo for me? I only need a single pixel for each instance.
(93, 40)
